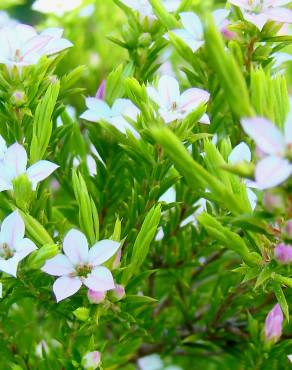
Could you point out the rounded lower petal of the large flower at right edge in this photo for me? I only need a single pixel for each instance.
(272, 171)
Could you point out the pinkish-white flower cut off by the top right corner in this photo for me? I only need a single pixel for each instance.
(259, 12)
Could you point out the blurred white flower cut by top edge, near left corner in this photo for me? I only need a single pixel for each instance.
(57, 7)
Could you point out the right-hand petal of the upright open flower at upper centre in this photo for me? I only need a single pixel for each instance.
(191, 99)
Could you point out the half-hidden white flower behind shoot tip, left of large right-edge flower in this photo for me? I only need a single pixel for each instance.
(242, 153)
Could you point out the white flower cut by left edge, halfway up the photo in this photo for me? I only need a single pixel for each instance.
(14, 164)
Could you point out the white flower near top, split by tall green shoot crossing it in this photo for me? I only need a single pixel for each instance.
(192, 33)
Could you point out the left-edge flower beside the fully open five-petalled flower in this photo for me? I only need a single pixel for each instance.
(14, 247)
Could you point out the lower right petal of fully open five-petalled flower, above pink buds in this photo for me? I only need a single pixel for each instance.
(100, 279)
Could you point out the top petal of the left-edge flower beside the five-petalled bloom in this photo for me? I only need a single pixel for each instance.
(12, 229)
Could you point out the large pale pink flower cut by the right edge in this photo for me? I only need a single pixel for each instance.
(274, 168)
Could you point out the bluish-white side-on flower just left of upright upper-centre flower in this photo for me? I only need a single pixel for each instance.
(99, 110)
